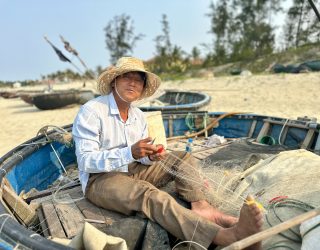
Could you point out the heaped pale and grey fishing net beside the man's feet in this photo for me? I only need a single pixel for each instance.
(286, 184)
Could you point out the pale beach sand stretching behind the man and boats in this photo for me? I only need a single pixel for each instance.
(284, 95)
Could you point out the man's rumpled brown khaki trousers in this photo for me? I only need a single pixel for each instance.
(137, 191)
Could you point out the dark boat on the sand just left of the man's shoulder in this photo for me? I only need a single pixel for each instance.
(61, 99)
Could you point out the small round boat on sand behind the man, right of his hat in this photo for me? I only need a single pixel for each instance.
(175, 100)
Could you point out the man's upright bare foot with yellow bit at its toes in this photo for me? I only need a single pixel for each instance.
(250, 222)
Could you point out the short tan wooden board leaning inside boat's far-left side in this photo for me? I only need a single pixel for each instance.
(19, 207)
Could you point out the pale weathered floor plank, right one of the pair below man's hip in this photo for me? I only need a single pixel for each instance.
(70, 216)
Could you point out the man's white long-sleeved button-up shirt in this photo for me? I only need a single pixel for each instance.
(103, 140)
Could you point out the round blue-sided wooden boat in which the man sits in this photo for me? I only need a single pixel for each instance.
(37, 163)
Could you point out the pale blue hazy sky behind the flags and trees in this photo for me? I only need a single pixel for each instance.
(25, 55)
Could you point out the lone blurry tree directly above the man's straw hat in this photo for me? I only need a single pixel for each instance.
(120, 37)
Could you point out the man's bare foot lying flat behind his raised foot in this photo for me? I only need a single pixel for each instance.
(204, 209)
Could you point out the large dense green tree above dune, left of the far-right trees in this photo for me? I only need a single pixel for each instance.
(241, 29)
